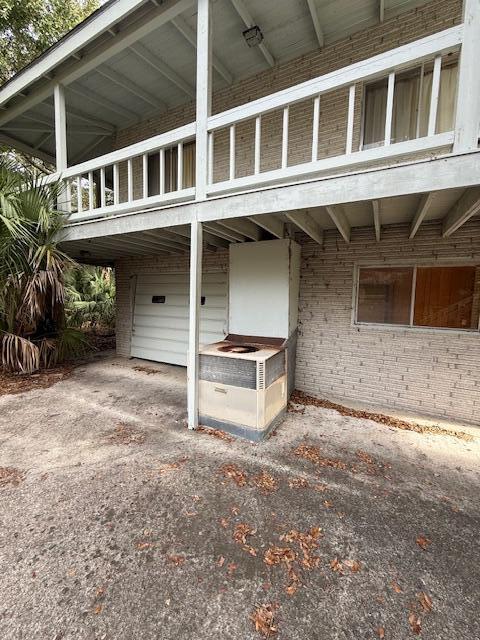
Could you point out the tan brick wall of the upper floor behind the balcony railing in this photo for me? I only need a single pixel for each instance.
(409, 26)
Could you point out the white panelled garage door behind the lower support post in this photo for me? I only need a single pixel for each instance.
(160, 325)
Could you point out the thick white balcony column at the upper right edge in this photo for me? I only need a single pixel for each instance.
(468, 97)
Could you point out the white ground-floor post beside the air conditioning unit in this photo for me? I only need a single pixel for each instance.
(196, 245)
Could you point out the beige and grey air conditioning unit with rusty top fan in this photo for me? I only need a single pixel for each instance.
(242, 387)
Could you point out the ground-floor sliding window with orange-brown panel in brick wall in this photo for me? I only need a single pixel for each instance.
(438, 297)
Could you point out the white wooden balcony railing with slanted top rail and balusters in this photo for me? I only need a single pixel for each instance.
(119, 181)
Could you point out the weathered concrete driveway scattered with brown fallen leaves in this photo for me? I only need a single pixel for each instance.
(117, 523)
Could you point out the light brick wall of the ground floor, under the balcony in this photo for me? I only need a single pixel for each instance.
(426, 371)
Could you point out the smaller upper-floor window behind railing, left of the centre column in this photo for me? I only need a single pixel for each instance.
(171, 169)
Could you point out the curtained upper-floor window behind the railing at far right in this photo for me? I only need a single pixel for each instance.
(411, 105)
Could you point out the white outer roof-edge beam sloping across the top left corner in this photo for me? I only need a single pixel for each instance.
(137, 30)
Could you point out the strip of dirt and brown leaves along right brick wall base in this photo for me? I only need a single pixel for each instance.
(300, 398)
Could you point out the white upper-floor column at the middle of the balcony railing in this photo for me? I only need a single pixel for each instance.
(204, 95)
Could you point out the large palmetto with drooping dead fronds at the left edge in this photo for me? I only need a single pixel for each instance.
(33, 331)
